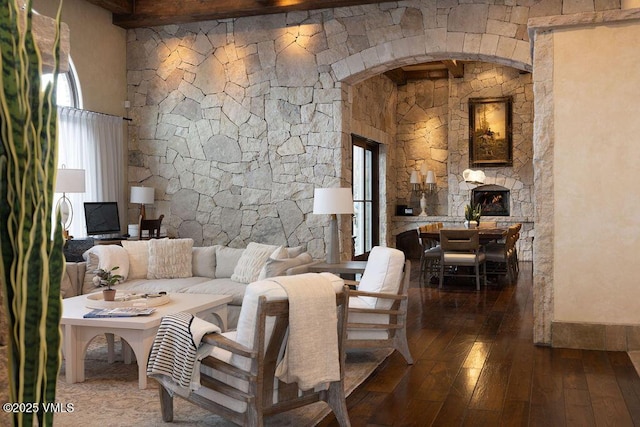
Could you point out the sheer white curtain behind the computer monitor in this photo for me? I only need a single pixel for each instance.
(93, 142)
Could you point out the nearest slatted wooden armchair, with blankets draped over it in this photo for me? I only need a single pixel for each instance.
(239, 379)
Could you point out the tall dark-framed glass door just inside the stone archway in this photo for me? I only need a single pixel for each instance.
(365, 197)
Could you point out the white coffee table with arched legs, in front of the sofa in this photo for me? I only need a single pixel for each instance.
(139, 332)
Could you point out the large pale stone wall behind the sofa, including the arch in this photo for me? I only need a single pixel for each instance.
(236, 121)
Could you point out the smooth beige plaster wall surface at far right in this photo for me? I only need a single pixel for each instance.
(596, 164)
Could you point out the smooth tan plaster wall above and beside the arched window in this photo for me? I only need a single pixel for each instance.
(98, 50)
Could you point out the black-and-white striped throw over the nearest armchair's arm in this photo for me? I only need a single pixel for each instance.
(176, 351)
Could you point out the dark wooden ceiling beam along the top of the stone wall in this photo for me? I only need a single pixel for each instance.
(149, 13)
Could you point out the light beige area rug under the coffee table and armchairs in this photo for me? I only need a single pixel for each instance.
(109, 396)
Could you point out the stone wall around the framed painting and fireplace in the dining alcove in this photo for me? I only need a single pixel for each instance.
(433, 127)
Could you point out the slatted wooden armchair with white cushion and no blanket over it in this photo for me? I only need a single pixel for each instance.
(377, 311)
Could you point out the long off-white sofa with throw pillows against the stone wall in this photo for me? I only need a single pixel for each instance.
(175, 265)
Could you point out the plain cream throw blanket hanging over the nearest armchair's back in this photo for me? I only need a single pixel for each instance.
(311, 357)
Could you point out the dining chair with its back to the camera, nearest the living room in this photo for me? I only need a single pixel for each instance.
(461, 248)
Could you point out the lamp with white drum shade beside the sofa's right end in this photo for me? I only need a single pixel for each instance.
(333, 201)
